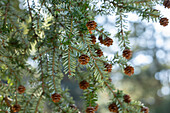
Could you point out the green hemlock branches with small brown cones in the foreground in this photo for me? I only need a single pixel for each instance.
(63, 38)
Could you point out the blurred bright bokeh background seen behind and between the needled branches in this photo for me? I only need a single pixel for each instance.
(150, 44)
